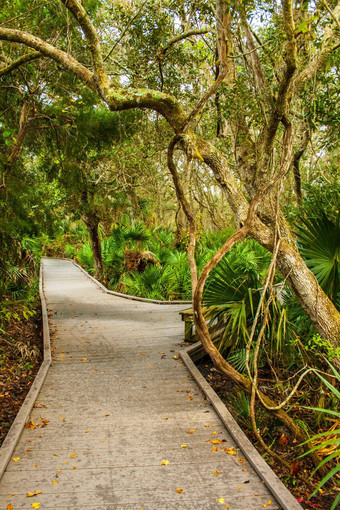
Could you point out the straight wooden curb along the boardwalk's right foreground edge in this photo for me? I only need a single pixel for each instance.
(278, 489)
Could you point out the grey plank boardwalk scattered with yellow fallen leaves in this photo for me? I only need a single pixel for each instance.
(119, 422)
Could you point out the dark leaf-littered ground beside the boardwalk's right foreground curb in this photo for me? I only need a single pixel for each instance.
(278, 439)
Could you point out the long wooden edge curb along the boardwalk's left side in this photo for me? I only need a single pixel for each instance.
(13, 435)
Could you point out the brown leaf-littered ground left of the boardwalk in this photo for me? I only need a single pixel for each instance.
(20, 360)
